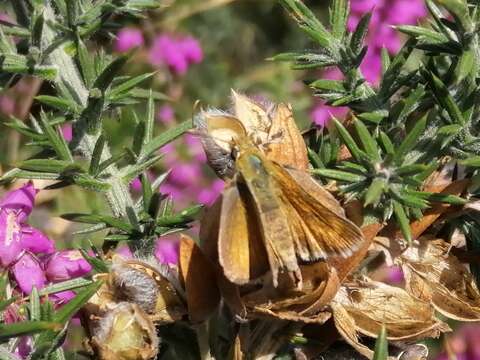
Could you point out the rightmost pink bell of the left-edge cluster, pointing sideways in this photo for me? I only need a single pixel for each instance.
(65, 265)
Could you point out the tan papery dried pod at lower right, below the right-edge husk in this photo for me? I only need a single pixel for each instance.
(364, 306)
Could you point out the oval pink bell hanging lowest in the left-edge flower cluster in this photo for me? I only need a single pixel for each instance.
(28, 273)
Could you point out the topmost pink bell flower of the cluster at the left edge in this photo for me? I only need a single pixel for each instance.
(20, 201)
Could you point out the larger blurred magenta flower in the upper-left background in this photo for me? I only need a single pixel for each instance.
(175, 52)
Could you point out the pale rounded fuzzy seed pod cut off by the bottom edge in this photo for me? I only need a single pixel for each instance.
(125, 333)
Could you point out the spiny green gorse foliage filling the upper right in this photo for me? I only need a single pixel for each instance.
(402, 130)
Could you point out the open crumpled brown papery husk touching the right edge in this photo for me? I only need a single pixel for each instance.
(434, 274)
